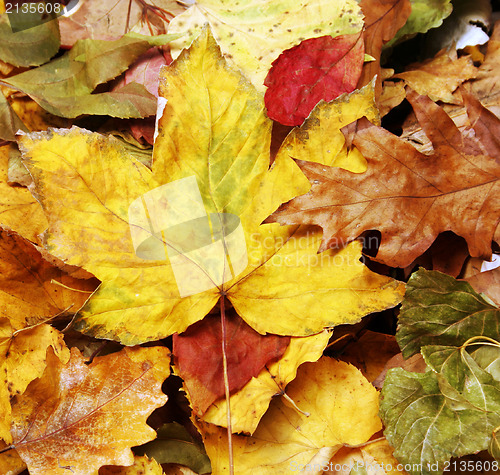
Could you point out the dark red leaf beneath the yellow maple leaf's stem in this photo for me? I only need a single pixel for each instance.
(198, 356)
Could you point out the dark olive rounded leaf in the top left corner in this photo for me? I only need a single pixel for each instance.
(30, 47)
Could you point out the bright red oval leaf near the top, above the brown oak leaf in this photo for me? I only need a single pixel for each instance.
(318, 68)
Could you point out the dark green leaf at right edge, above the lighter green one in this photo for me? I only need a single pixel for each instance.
(439, 309)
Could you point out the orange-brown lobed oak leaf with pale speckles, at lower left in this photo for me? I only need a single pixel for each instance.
(104, 404)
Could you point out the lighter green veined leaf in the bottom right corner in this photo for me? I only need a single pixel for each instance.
(425, 427)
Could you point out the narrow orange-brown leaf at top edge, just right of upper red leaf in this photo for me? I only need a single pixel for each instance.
(383, 19)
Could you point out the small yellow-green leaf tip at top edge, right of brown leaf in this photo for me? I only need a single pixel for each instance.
(425, 14)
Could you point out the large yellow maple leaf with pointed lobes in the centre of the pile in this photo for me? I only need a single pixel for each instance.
(213, 134)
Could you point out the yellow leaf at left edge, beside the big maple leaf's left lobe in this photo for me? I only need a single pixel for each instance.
(19, 211)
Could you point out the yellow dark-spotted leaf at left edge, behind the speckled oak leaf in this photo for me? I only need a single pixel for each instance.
(22, 359)
